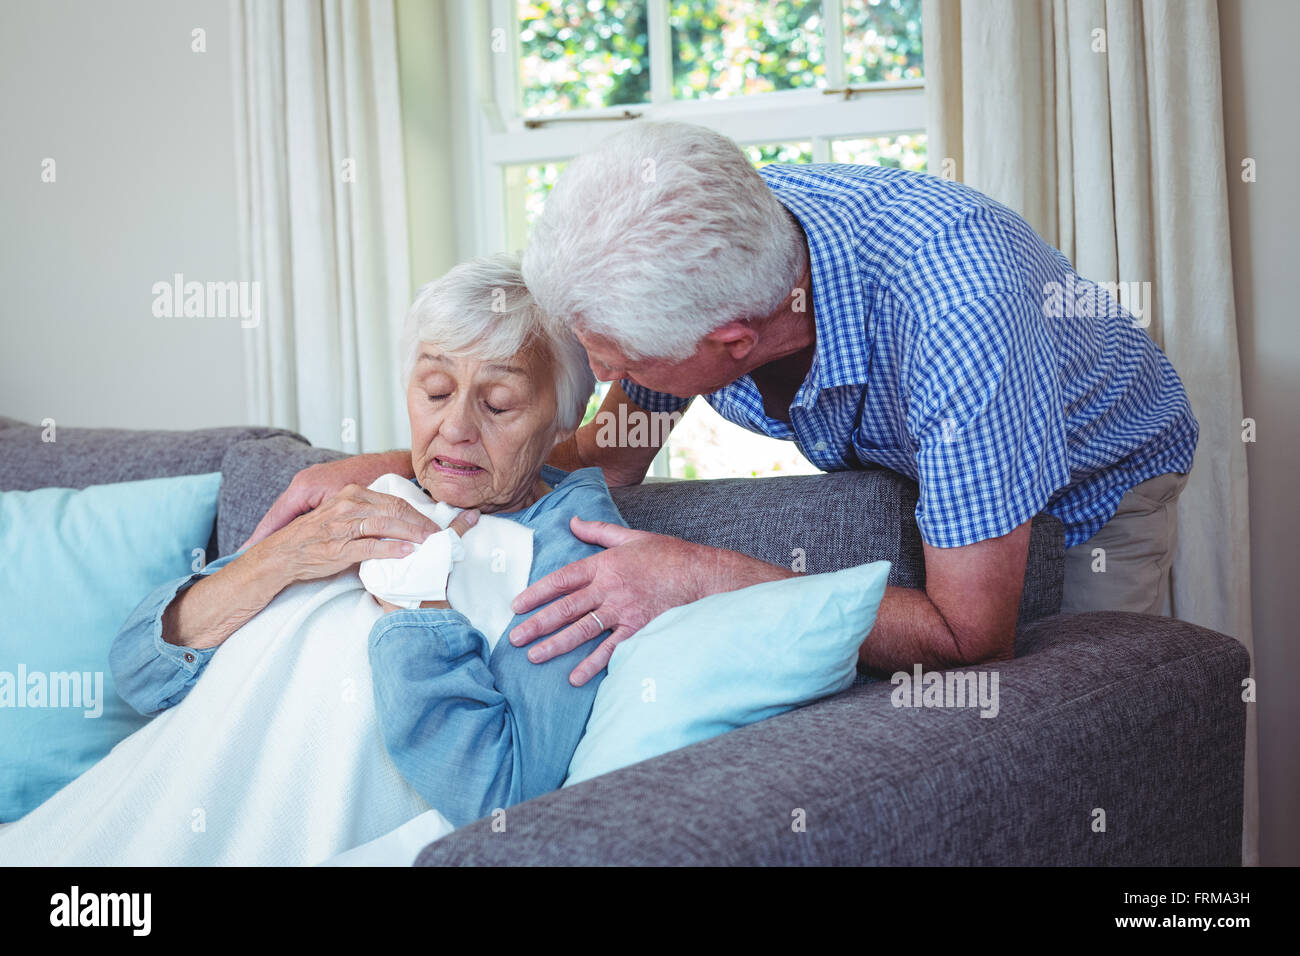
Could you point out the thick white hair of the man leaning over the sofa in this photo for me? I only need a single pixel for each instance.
(657, 237)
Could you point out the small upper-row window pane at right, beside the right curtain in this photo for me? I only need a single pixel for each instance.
(882, 41)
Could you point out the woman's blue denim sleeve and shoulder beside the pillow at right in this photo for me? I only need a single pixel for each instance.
(471, 729)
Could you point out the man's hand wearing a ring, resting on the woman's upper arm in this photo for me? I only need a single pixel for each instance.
(638, 579)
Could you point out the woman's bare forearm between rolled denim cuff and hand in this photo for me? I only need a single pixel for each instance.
(216, 607)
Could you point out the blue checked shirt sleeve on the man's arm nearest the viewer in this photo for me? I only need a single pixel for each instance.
(985, 413)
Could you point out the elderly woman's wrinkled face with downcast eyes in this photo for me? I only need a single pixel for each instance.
(480, 431)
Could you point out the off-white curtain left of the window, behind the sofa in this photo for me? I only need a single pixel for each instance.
(323, 218)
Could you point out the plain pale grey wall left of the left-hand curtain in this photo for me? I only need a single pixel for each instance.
(141, 132)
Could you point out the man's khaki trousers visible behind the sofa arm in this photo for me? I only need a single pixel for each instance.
(1137, 548)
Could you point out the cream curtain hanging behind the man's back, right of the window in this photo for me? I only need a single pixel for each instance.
(1102, 123)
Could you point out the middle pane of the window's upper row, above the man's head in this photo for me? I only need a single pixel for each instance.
(746, 47)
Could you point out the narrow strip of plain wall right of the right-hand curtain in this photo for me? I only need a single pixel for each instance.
(1260, 96)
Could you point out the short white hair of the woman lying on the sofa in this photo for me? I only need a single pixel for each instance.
(483, 310)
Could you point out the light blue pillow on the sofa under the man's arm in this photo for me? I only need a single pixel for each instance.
(729, 660)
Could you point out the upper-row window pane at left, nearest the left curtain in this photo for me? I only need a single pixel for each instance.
(582, 54)
